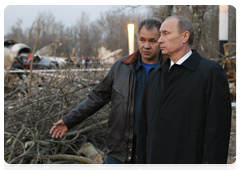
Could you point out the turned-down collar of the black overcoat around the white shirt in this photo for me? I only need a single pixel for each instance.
(191, 63)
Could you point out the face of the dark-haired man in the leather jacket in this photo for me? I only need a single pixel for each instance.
(148, 45)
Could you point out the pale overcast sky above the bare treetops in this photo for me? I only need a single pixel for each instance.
(68, 14)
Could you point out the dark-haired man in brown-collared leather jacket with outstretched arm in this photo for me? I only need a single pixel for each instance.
(123, 86)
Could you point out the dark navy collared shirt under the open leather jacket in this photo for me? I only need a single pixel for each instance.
(141, 79)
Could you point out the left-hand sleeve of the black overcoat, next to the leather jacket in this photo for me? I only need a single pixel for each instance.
(141, 161)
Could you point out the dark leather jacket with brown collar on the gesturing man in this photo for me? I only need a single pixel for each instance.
(118, 87)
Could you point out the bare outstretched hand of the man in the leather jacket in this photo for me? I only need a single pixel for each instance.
(58, 128)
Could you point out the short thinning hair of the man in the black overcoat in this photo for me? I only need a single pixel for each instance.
(184, 24)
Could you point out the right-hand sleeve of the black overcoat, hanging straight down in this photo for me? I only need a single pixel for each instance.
(218, 121)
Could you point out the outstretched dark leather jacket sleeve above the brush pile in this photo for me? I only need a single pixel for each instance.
(97, 98)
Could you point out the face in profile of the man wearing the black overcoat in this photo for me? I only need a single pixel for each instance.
(170, 39)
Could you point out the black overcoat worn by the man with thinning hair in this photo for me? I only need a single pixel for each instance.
(186, 117)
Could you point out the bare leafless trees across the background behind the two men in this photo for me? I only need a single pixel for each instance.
(110, 29)
